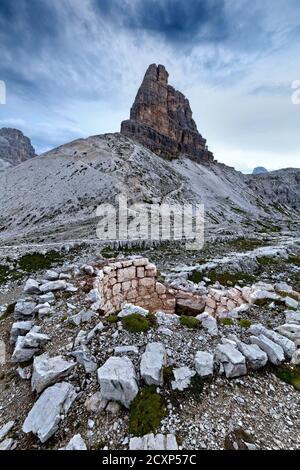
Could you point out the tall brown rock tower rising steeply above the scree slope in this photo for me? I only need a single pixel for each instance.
(161, 119)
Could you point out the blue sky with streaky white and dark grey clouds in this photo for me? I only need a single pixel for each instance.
(72, 69)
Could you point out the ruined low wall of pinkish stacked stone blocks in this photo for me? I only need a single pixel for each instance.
(133, 281)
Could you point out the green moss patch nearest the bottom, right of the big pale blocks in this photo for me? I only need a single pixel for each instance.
(146, 412)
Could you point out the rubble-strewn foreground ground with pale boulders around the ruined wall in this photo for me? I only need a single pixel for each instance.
(72, 377)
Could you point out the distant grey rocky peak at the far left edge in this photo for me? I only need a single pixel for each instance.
(15, 148)
